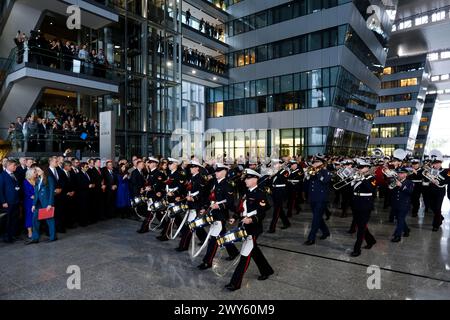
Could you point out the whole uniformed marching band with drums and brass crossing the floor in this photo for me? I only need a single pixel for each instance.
(223, 204)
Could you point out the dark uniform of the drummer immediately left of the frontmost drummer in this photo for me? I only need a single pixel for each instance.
(222, 194)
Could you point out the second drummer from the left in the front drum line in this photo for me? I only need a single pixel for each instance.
(175, 190)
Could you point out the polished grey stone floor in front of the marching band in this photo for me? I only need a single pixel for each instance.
(117, 263)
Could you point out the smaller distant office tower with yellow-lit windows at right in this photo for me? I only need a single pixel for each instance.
(399, 111)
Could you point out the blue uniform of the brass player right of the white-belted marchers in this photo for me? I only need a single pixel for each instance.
(318, 193)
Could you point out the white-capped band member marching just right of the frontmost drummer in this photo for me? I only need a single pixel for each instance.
(279, 187)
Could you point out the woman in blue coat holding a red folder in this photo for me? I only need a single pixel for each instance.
(43, 198)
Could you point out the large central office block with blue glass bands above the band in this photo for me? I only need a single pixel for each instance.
(304, 78)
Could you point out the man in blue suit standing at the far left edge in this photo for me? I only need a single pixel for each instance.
(9, 199)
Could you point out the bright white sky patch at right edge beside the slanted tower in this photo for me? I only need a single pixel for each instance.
(439, 135)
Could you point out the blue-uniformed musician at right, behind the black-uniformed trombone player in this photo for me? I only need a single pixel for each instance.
(401, 203)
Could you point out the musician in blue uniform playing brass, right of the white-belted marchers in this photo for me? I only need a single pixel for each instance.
(318, 179)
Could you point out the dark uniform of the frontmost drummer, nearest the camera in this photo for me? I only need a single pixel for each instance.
(256, 204)
